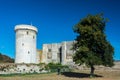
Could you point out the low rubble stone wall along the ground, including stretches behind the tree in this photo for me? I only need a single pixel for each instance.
(11, 68)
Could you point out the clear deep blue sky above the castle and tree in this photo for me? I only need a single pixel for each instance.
(55, 20)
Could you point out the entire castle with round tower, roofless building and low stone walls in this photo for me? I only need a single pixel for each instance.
(27, 56)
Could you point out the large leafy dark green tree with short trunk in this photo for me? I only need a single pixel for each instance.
(91, 45)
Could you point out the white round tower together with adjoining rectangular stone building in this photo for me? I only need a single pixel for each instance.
(26, 51)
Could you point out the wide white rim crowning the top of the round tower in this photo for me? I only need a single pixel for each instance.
(26, 27)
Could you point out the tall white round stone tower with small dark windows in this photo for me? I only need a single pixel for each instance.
(25, 44)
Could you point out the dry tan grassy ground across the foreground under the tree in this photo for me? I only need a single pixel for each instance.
(79, 75)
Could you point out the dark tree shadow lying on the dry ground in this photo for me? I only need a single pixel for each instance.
(78, 75)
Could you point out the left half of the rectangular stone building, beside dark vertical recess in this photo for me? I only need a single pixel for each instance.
(51, 53)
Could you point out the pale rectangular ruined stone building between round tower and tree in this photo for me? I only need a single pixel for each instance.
(58, 52)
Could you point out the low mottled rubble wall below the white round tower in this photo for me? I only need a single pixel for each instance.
(11, 68)
